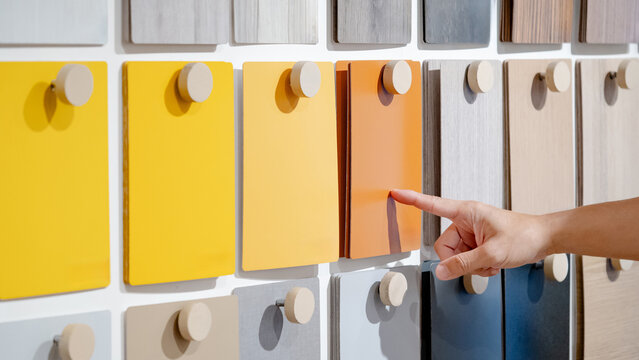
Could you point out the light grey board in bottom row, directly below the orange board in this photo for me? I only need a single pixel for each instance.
(362, 327)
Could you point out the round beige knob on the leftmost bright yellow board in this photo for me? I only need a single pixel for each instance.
(74, 84)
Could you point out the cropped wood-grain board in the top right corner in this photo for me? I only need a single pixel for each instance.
(609, 21)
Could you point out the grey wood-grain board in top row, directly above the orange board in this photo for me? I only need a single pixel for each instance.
(372, 21)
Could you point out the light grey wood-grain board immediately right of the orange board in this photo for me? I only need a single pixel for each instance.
(469, 143)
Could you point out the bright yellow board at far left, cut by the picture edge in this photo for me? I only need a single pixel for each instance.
(54, 212)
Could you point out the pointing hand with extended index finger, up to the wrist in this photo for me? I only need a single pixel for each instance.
(482, 239)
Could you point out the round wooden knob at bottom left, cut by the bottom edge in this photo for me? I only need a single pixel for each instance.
(77, 342)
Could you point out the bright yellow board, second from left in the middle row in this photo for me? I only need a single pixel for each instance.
(179, 177)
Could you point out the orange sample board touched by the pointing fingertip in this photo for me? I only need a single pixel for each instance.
(382, 151)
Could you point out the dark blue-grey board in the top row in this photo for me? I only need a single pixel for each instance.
(456, 21)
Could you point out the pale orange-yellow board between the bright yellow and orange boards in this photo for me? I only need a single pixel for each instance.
(290, 212)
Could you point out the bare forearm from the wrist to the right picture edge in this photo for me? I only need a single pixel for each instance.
(607, 230)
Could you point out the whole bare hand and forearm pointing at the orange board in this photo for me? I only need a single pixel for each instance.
(484, 239)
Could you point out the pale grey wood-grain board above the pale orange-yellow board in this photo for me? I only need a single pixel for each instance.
(275, 21)
